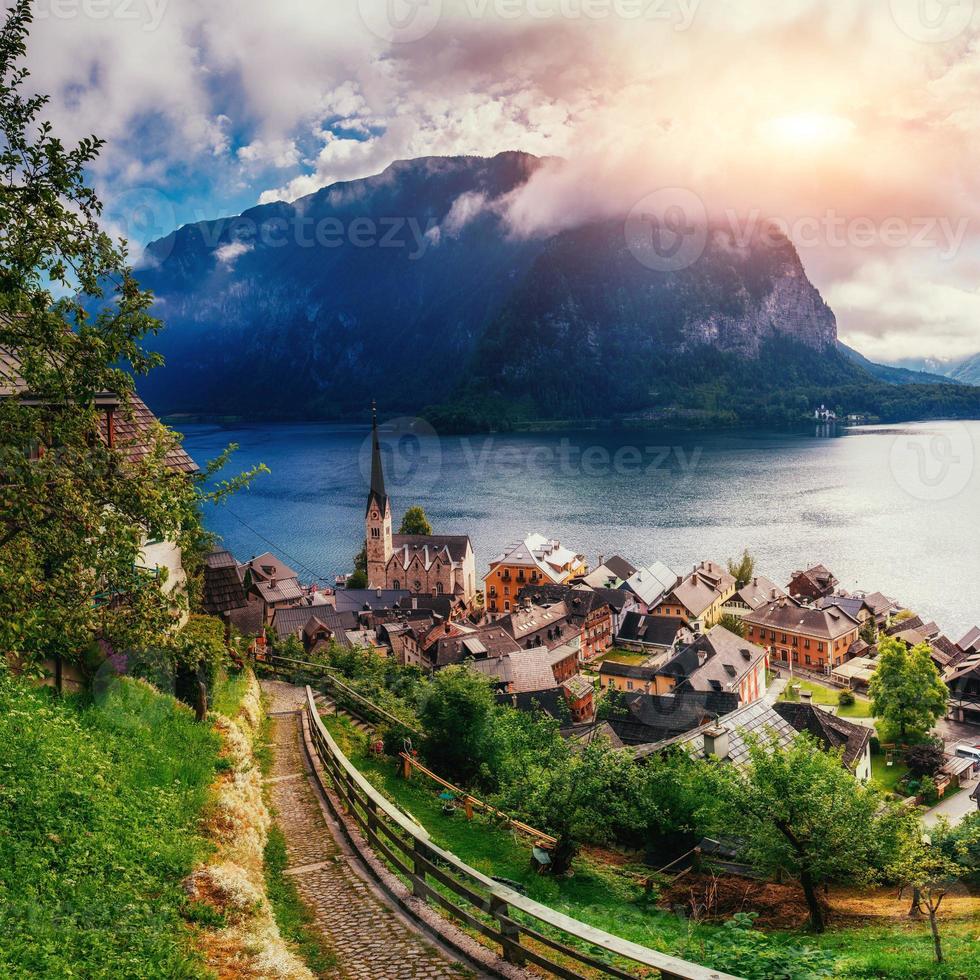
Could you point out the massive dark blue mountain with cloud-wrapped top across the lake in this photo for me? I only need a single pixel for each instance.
(407, 287)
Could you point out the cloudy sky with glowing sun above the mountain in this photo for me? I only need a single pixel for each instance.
(239, 98)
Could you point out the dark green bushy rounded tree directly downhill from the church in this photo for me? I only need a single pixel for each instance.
(456, 715)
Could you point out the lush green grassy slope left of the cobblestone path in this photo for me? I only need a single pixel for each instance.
(99, 812)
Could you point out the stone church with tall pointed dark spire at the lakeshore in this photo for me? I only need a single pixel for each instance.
(435, 564)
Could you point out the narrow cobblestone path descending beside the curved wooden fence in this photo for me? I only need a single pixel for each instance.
(369, 938)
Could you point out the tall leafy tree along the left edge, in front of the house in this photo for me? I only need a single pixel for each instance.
(73, 519)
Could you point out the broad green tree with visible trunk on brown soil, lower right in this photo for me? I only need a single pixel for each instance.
(794, 807)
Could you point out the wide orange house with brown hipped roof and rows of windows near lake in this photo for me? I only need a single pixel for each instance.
(819, 639)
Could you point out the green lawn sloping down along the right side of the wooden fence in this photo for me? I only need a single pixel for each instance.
(612, 898)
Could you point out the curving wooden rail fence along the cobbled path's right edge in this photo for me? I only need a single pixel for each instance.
(524, 929)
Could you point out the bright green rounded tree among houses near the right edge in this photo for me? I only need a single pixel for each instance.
(906, 690)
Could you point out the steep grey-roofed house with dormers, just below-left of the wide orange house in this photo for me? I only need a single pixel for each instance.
(717, 661)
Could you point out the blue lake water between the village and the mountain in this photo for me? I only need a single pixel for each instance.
(889, 508)
